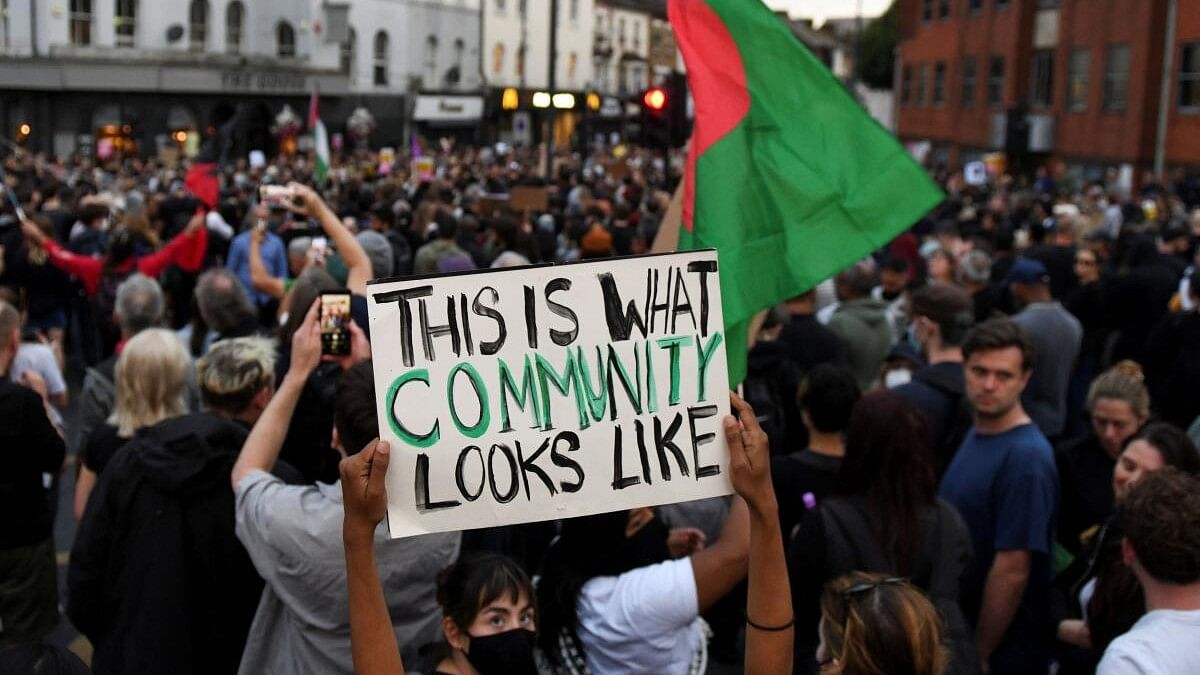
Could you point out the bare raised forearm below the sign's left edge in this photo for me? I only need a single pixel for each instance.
(373, 640)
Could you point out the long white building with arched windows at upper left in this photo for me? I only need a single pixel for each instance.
(141, 70)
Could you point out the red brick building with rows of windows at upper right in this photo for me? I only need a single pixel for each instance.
(1085, 75)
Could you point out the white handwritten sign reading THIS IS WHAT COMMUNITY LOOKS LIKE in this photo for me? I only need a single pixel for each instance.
(550, 392)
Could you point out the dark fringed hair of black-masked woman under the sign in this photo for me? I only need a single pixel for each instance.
(477, 581)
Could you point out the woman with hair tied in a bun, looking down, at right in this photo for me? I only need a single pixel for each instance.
(1119, 405)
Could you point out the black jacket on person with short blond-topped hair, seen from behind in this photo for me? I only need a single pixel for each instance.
(158, 581)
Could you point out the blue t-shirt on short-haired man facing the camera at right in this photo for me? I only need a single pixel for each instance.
(1006, 488)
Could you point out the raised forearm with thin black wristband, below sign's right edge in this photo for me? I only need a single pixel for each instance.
(770, 596)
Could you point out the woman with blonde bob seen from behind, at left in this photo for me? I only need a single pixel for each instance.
(152, 383)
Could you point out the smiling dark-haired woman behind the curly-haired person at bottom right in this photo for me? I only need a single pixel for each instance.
(1097, 598)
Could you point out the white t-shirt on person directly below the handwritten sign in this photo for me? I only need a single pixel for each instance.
(644, 622)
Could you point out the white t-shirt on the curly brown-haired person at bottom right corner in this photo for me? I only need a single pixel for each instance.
(1162, 643)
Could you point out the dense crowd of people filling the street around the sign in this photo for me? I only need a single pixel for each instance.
(974, 451)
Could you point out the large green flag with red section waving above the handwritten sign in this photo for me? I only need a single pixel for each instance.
(788, 176)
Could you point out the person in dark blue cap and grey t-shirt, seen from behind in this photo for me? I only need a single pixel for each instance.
(1057, 338)
